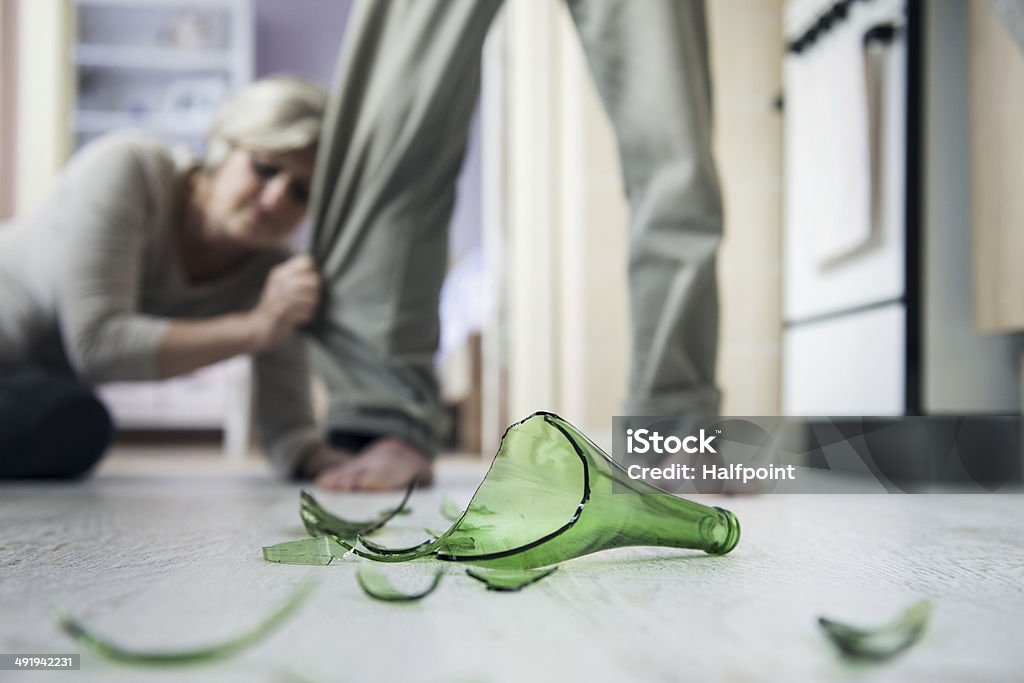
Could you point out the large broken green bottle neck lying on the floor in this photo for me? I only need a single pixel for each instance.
(552, 495)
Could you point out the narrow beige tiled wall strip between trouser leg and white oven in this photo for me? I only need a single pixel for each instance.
(747, 59)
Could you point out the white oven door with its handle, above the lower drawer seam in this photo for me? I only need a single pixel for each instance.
(845, 141)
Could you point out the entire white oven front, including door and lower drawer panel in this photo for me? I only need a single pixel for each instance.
(845, 283)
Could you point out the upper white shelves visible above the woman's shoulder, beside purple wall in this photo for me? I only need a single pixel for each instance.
(158, 66)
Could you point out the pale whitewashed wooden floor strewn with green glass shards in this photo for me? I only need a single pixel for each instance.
(164, 553)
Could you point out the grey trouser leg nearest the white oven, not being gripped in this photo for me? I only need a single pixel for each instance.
(650, 61)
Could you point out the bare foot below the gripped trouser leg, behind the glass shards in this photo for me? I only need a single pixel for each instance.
(387, 464)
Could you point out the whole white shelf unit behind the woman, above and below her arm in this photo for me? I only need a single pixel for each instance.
(163, 67)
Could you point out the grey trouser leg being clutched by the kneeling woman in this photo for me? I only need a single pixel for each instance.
(395, 139)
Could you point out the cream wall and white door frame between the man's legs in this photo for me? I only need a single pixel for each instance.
(556, 230)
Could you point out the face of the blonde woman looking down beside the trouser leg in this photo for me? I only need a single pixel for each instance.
(258, 200)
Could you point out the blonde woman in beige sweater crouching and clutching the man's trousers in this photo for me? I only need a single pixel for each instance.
(146, 264)
